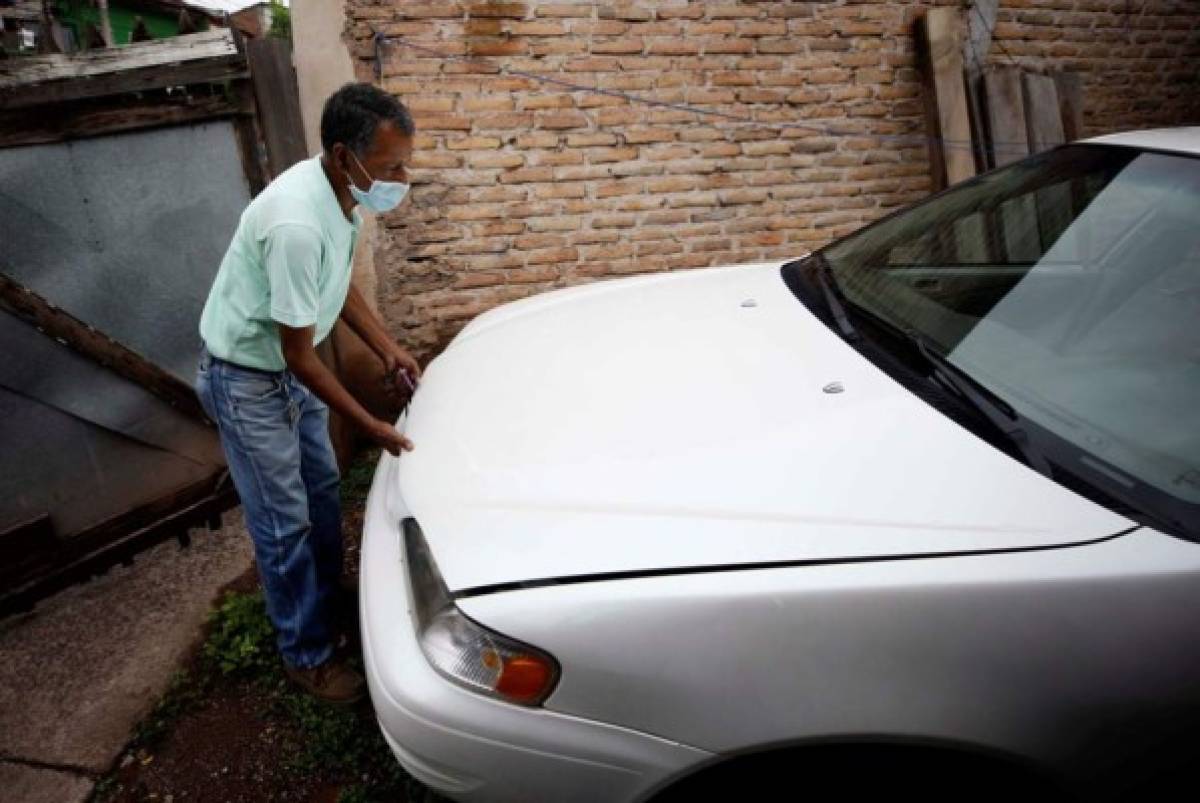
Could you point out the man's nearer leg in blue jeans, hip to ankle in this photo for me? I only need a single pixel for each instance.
(259, 422)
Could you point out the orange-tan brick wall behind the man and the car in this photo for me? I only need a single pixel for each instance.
(527, 188)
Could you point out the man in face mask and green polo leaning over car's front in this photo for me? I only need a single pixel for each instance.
(281, 287)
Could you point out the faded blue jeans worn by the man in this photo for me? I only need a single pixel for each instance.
(275, 435)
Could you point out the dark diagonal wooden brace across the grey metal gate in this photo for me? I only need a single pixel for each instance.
(97, 346)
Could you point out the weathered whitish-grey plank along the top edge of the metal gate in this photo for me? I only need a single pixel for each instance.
(212, 57)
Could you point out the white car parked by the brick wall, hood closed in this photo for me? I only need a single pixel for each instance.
(917, 513)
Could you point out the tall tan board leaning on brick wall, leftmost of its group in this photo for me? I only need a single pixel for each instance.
(952, 146)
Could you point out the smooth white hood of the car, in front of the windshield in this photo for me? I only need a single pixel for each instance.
(691, 421)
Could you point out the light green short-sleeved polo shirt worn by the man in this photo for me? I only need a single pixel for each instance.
(290, 262)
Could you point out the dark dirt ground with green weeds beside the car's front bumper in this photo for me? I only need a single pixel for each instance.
(245, 735)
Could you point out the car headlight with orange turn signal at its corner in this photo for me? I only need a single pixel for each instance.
(461, 650)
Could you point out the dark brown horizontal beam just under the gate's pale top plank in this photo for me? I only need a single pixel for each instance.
(97, 117)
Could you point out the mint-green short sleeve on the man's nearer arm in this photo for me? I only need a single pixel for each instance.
(292, 257)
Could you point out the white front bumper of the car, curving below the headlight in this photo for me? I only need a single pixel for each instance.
(476, 748)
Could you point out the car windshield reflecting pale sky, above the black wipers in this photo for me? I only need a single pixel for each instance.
(1066, 290)
